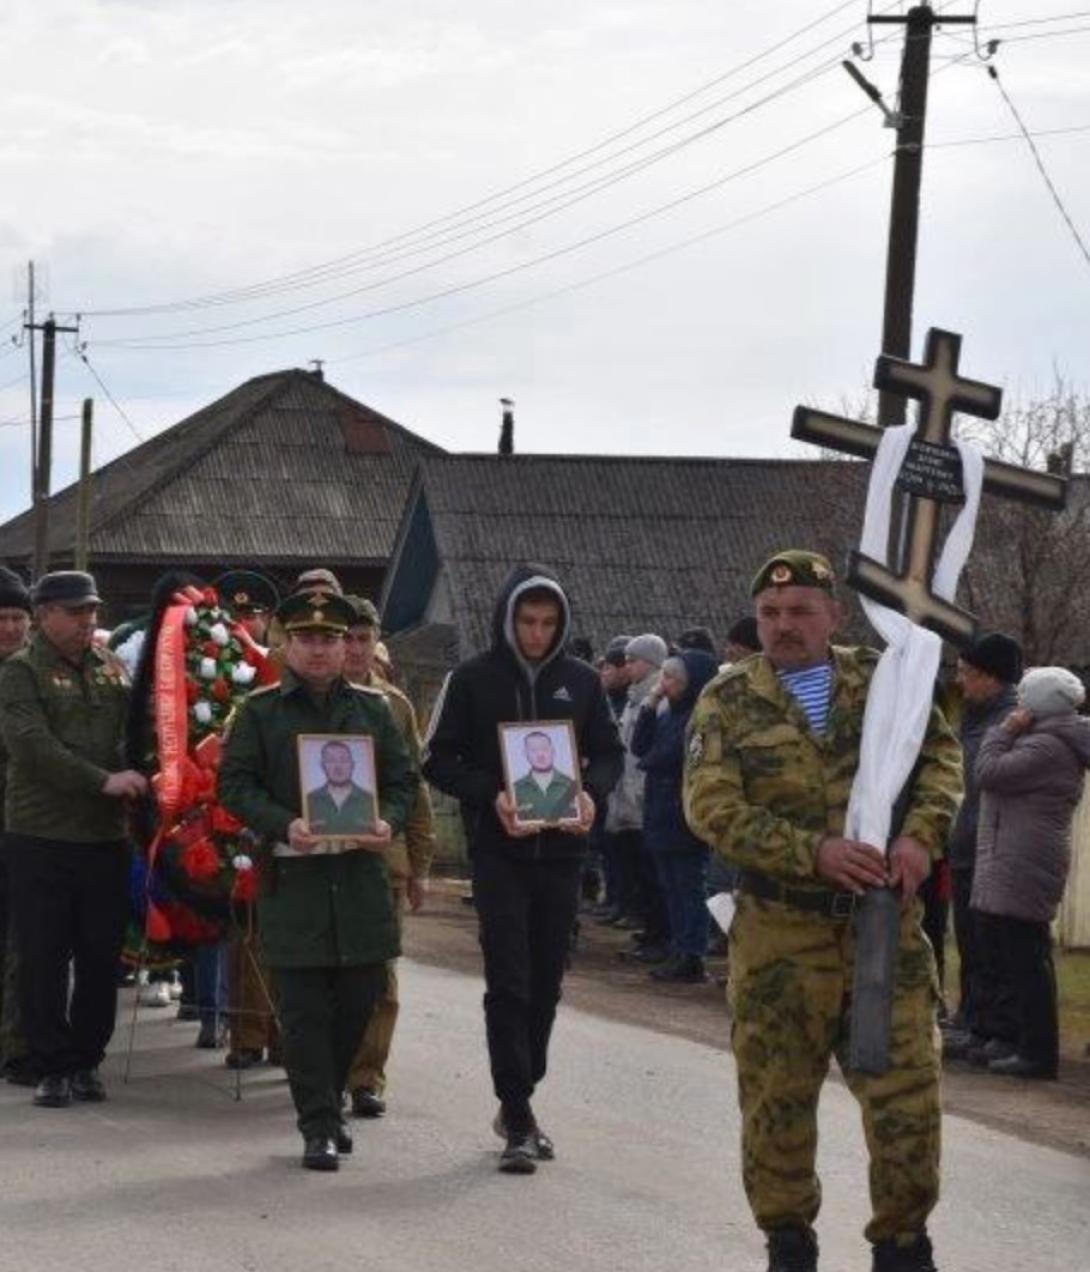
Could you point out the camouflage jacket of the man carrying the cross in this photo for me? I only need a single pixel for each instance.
(764, 791)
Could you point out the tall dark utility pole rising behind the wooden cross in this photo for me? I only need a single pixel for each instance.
(920, 24)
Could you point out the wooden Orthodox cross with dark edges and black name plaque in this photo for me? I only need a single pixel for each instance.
(930, 478)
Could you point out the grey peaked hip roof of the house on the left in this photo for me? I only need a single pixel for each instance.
(284, 467)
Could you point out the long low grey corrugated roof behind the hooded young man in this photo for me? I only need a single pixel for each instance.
(661, 545)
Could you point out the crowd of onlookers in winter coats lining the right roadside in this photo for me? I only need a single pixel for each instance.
(1026, 752)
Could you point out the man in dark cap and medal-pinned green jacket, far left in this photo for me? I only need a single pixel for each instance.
(63, 705)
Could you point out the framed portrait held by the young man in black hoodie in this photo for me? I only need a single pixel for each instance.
(541, 771)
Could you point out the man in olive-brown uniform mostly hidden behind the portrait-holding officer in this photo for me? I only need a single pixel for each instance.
(409, 862)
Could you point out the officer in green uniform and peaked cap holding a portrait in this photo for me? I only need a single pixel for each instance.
(326, 918)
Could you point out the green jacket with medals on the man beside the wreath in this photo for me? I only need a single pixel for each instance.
(63, 727)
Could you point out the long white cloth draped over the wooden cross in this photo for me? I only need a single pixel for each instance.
(901, 693)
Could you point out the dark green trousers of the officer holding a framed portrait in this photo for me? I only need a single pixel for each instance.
(324, 1014)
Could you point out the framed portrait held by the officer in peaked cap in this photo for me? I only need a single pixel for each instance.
(339, 785)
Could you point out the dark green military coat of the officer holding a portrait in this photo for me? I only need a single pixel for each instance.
(330, 910)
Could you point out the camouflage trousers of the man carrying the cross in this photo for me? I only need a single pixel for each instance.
(790, 994)
